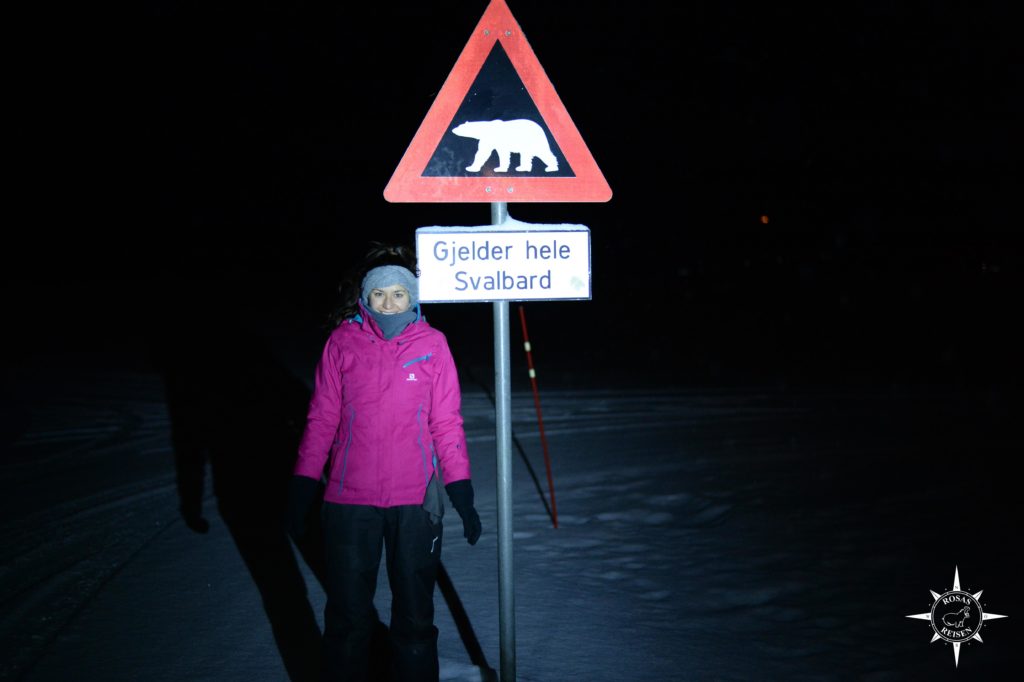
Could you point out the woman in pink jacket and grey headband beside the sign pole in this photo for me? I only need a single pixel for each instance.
(386, 421)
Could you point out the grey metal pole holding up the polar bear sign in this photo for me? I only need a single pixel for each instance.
(503, 429)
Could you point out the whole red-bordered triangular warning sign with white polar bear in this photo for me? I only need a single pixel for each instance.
(497, 132)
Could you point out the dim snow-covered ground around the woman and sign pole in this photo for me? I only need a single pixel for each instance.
(747, 534)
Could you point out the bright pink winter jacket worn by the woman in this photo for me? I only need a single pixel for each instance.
(387, 413)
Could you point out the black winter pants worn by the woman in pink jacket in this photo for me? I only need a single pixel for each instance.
(355, 536)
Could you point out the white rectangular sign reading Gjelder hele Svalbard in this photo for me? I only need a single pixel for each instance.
(514, 262)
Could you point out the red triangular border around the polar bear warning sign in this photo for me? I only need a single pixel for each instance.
(408, 184)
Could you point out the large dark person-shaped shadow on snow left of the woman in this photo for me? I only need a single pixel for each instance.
(236, 411)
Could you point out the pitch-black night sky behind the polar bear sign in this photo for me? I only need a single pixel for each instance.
(251, 143)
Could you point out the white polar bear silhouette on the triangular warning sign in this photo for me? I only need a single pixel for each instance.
(521, 137)
